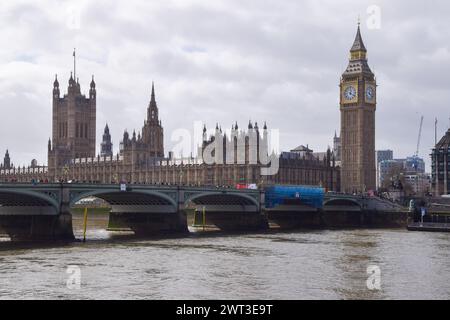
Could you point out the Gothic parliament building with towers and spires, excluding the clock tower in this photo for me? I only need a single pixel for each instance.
(240, 158)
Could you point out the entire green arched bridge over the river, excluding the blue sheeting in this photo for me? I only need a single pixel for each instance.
(42, 211)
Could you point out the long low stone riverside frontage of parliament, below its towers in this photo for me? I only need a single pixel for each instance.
(189, 171)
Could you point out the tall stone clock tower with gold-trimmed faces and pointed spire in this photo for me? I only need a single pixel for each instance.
(358, 104)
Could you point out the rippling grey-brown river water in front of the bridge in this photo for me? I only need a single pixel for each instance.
(272, 265)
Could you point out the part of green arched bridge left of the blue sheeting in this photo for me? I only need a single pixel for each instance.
(42, 211)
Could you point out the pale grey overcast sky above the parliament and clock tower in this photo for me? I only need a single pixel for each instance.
(222, 61)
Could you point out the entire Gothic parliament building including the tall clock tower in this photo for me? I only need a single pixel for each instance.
(142, 159)
